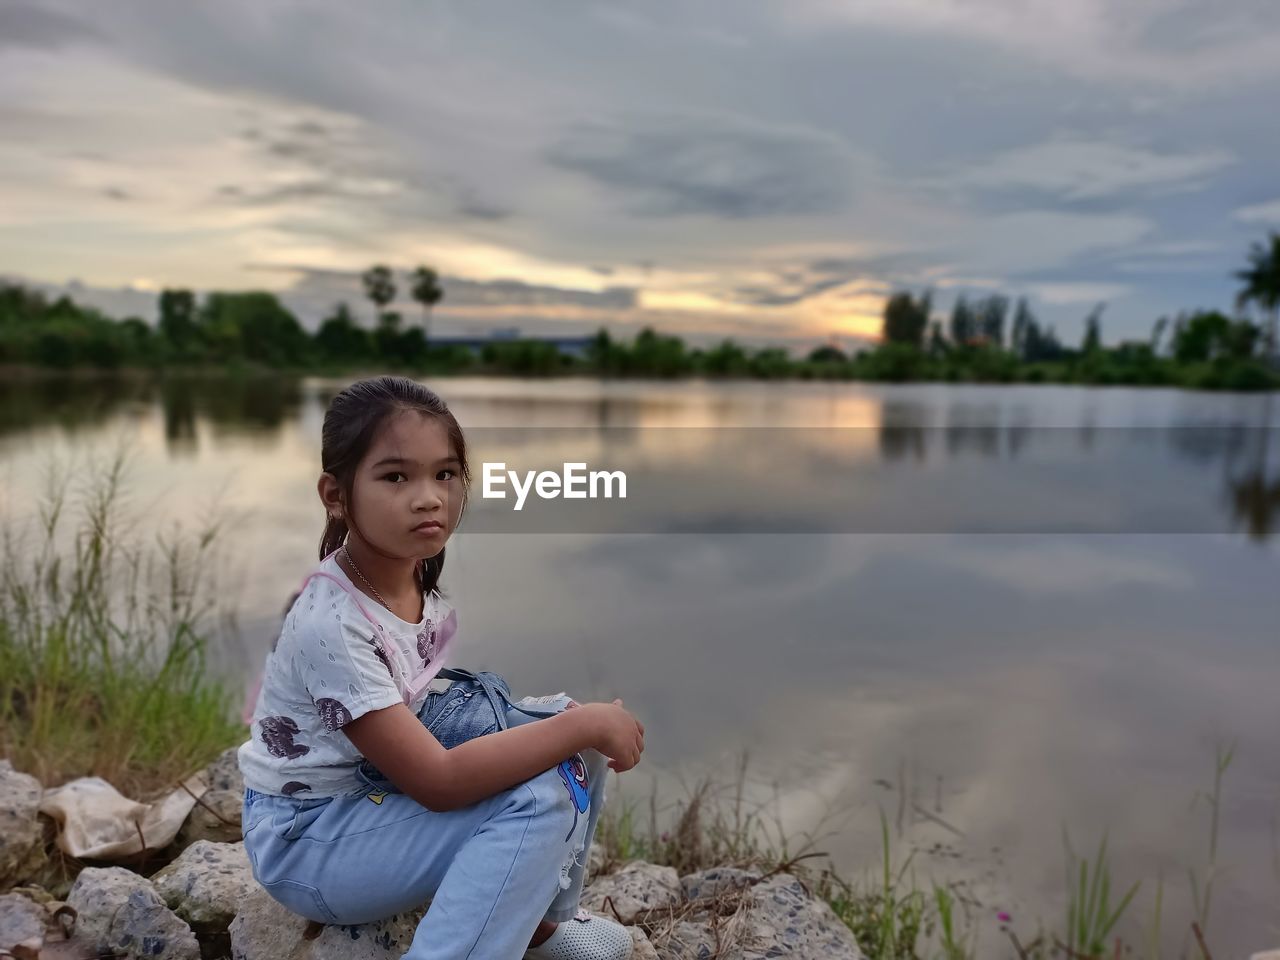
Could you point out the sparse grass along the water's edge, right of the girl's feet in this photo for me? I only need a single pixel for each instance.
(892, 917)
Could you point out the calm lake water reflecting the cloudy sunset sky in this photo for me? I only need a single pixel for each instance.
(991, 612)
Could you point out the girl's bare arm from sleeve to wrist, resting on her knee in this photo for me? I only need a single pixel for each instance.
(399, 746)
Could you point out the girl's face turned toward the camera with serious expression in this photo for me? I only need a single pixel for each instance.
(409, 490)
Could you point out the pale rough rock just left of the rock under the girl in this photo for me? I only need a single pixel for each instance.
(207, 886)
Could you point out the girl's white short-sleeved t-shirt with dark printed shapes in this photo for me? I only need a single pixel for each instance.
(340, 656)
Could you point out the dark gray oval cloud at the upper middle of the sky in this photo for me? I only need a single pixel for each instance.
(710, 166)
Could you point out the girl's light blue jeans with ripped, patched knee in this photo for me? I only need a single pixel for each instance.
(492, 870)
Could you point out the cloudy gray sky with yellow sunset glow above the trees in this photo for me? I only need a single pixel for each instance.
(765, 171)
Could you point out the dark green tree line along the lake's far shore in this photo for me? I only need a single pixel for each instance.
(984, 340)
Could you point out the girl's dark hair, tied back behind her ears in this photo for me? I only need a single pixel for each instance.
(350, 426)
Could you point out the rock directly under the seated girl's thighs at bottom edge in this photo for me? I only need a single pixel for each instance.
(263, 930)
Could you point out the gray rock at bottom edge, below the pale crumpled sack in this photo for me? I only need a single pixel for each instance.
(120, 912)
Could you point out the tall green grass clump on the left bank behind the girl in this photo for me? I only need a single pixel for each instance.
(103, 643)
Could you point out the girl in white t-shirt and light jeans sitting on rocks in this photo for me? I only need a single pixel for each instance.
(354, 811)
